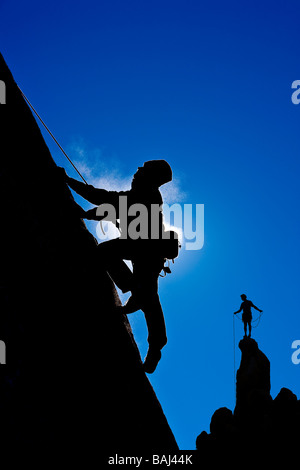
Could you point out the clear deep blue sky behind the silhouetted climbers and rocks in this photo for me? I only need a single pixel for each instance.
(207, 86)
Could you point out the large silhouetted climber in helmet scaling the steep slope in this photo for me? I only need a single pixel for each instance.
(147, 254)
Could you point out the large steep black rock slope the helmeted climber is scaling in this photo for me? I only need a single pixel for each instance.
(73, 383)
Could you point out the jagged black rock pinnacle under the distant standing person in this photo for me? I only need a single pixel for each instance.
(260, 429)
